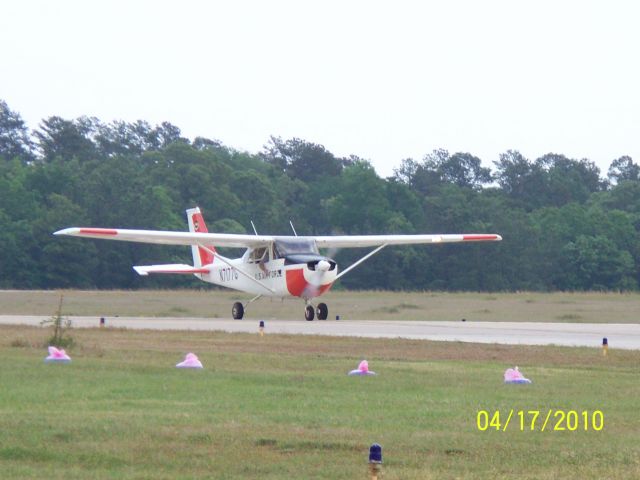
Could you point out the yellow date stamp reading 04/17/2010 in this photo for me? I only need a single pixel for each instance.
(538, 420)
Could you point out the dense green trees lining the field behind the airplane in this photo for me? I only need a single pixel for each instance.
(564, 226)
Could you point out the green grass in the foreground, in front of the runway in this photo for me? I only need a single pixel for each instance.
(282, 407)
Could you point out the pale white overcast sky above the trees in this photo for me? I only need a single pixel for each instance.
(382, 80)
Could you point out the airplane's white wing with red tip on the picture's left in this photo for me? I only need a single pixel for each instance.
(170, 238)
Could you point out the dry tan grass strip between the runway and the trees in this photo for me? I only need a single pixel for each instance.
(514, 307)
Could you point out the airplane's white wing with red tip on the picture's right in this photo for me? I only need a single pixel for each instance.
(355, 241)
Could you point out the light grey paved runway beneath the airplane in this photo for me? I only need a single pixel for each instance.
(625, 336)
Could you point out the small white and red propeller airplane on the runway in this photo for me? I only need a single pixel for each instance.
(274, 266)
